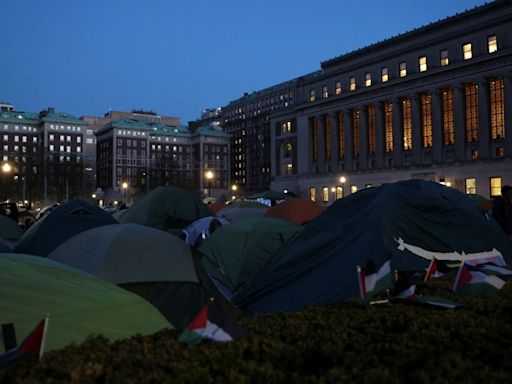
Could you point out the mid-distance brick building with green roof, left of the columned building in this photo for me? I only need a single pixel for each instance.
(142, 155)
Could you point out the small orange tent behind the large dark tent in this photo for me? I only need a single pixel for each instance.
(298, 211)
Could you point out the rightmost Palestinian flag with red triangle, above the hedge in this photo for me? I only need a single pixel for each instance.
(471, 281)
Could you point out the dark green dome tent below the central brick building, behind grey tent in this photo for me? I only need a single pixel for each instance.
(166, 208)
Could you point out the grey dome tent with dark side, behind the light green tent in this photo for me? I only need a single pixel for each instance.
(152, 263)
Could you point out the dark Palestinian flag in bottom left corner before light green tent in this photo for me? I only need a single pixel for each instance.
(33, 345)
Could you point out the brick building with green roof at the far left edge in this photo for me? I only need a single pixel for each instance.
(44, 151)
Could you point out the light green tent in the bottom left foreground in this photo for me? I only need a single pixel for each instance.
(78, 304)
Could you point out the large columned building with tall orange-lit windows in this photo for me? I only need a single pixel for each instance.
(434, 103)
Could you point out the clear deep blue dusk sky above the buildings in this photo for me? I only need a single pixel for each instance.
(178, 57)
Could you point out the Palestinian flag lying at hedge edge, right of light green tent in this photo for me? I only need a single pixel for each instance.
(211, 323)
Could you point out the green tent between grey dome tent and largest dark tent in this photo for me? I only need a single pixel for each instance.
(235, 252)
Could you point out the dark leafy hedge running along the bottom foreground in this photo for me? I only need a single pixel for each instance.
(339, 343)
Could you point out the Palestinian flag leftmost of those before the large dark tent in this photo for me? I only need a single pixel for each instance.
(372, 282)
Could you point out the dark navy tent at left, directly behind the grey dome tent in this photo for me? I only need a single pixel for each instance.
(60, 224)
